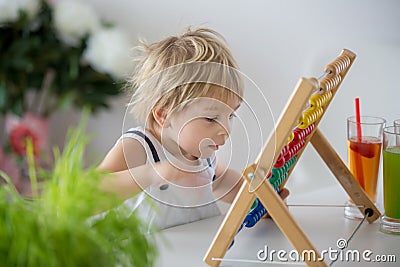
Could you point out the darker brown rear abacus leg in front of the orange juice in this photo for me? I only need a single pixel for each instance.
(344, 176)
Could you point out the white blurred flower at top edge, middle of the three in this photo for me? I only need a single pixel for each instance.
(74, 20)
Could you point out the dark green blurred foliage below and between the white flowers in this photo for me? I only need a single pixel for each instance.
(29, 48)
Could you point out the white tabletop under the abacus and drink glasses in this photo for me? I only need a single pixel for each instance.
(186, 245)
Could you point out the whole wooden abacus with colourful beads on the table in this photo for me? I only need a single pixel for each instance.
(296, 127)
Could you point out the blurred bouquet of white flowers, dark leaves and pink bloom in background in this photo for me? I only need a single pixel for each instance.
(53, 56)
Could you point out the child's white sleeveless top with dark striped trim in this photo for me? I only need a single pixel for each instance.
(166, 204)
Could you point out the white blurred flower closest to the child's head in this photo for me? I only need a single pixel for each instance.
(109, 51)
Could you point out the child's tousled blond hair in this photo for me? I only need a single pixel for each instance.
(178, 69)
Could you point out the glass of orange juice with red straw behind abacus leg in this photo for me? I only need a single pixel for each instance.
(364, 146)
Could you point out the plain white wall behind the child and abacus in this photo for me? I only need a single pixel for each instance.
(276, 43)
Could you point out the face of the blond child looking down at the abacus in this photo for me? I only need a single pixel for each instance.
(203, 125)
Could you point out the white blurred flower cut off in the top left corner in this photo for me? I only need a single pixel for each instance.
(10, 9)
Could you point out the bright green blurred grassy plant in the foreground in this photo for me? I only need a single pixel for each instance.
(56, 228)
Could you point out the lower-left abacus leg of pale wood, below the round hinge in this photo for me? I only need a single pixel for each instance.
(230, 226)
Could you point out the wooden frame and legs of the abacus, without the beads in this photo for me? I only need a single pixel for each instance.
(258, 187)
